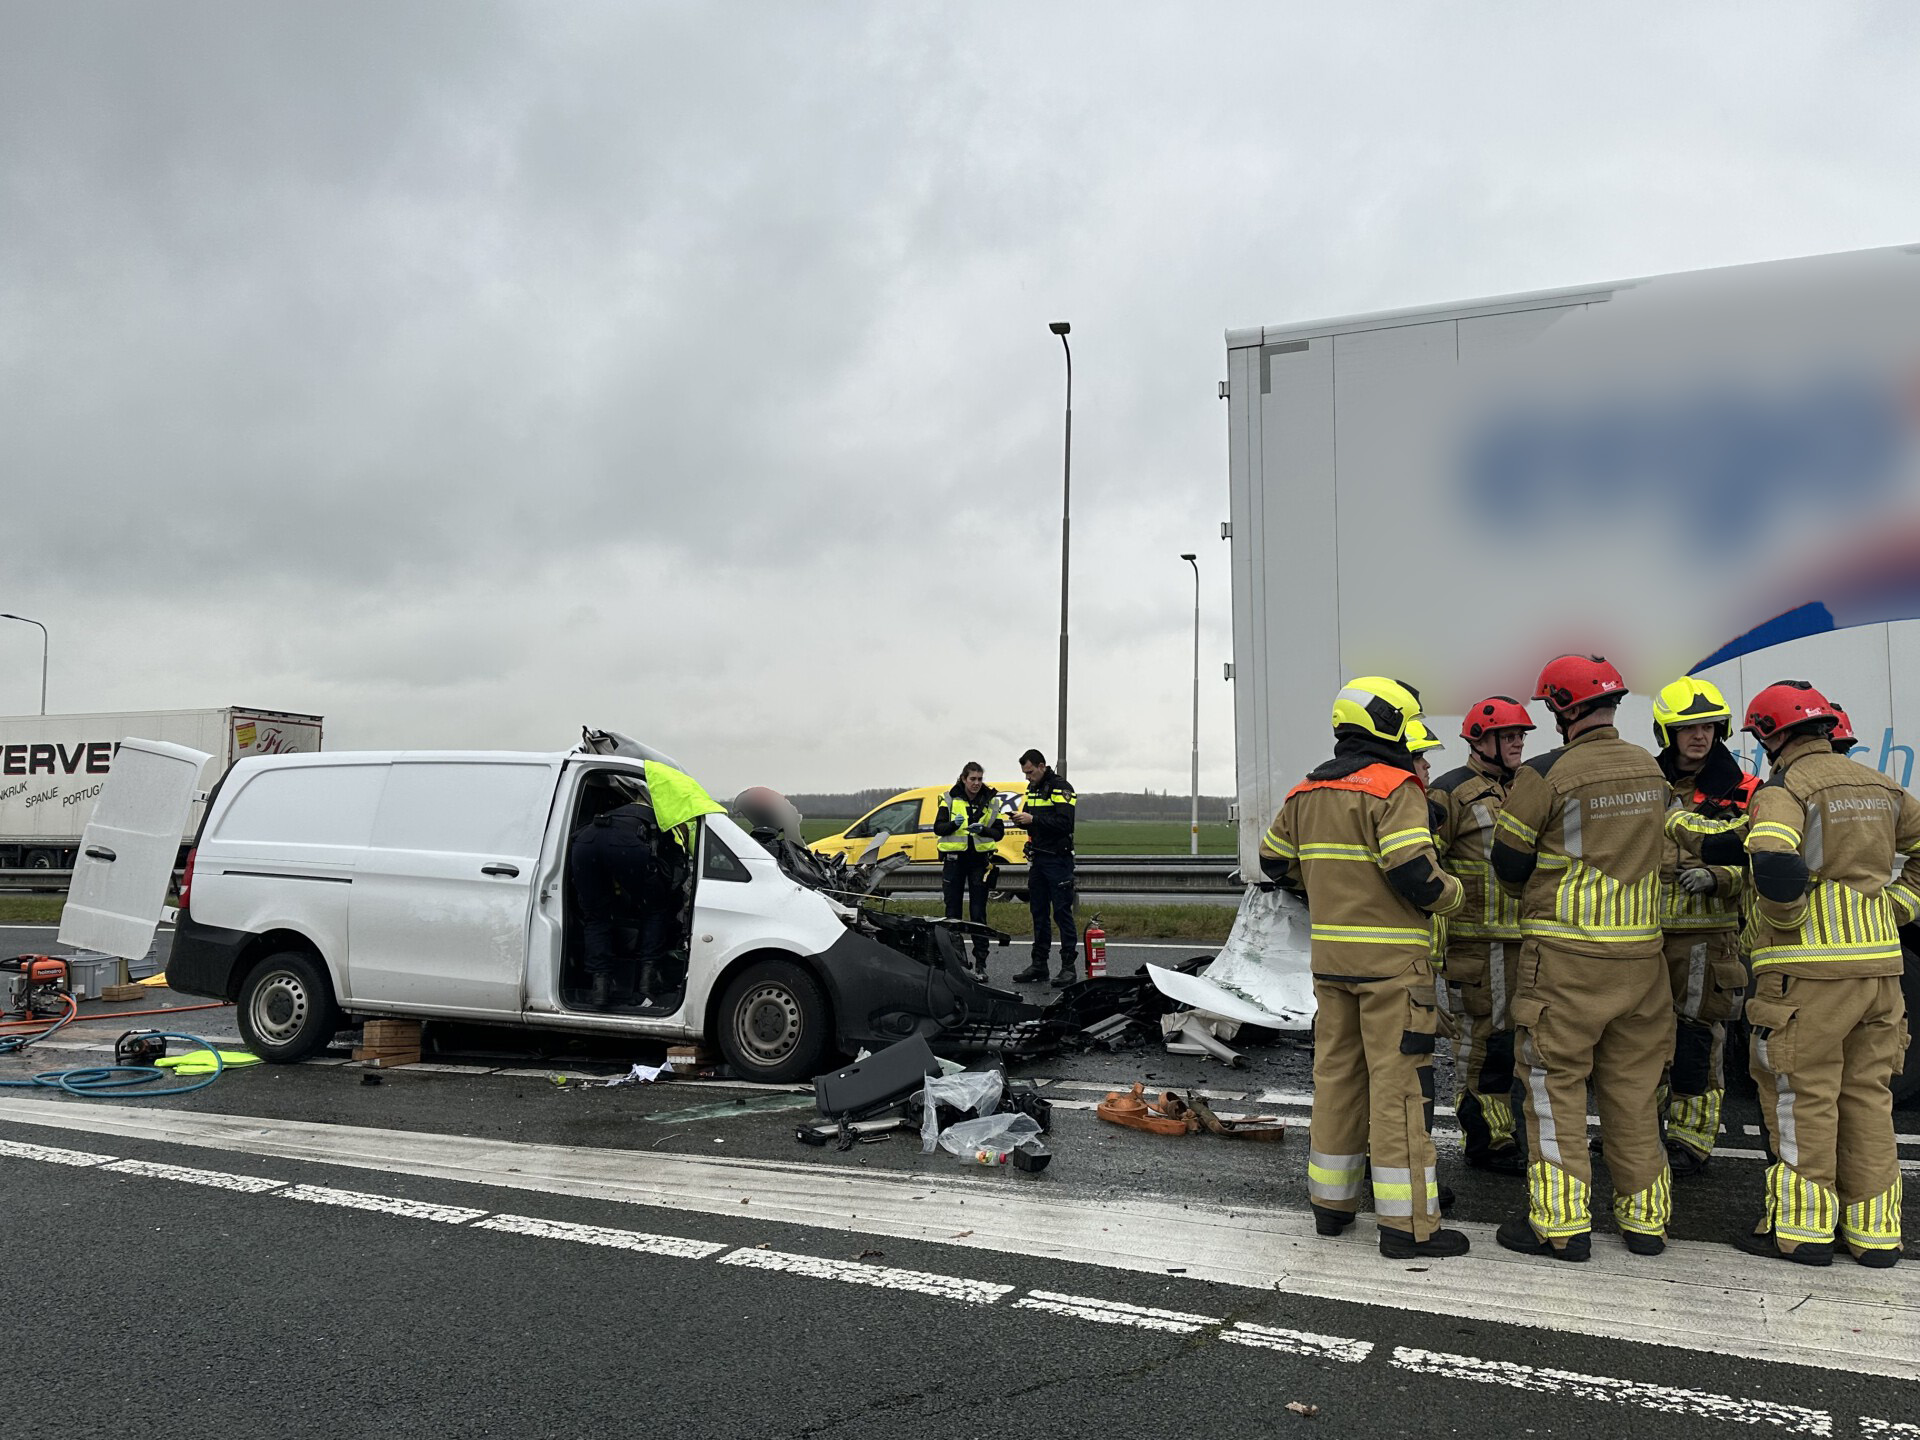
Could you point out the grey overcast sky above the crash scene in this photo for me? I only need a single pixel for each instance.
(471, 373)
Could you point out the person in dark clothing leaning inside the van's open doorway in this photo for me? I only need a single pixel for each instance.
(627, 901)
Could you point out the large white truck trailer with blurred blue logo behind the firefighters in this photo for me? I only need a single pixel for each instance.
(1710, 473)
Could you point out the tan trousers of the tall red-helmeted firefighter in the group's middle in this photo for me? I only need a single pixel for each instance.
(1581, 1019)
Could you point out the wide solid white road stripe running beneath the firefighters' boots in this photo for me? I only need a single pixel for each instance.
(1696, 1297)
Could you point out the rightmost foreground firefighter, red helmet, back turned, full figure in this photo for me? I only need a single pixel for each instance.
(1835, 850)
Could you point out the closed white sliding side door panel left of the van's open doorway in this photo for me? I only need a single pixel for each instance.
(441, 924)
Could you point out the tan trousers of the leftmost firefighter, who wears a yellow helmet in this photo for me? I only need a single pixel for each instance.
(1374, 1092)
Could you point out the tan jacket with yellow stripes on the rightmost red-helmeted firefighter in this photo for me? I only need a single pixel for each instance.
(1835, 865)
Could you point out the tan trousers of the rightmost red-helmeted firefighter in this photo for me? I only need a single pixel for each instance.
(1823, 1057)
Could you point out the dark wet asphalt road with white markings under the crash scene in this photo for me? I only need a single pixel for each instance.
(471, 1249)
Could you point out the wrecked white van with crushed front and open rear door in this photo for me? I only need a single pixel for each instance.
(437, 886)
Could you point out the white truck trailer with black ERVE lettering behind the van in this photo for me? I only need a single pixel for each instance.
(53, 767)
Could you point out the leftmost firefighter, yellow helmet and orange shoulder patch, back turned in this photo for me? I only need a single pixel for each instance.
(1355, 842)
